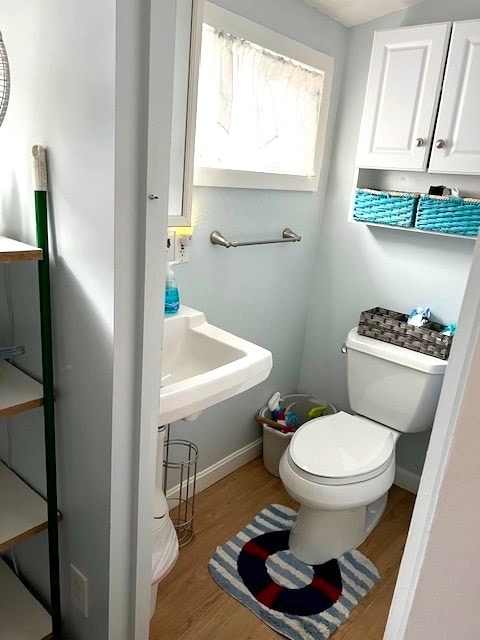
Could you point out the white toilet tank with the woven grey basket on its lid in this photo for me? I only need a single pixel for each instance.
(392, 385)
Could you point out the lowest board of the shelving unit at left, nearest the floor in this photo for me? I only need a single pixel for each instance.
(22, 617)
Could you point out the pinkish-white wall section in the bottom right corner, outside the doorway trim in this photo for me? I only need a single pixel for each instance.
(445, 604)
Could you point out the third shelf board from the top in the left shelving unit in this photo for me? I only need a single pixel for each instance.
(23, 513)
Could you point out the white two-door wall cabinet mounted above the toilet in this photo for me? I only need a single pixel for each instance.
(407, 76)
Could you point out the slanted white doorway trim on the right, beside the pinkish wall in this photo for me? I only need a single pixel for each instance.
(458, 371)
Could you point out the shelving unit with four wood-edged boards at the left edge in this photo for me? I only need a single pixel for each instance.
(23, 512)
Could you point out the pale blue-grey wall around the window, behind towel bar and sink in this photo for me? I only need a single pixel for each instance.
(259, 293)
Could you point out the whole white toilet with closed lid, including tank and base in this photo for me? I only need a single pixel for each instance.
(340, 468)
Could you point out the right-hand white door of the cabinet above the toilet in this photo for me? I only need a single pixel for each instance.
(456, 147)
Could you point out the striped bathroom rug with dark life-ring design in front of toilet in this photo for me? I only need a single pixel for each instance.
(300, 601)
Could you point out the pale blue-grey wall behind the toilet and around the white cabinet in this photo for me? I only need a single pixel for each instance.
(358, 268)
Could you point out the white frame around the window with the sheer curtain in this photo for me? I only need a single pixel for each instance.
(220, 18)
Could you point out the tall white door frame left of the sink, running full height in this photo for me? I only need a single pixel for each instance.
(143, 131)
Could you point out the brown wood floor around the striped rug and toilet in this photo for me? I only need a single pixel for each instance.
(191, 605)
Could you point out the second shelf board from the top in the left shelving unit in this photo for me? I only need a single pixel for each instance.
(18, 392)
